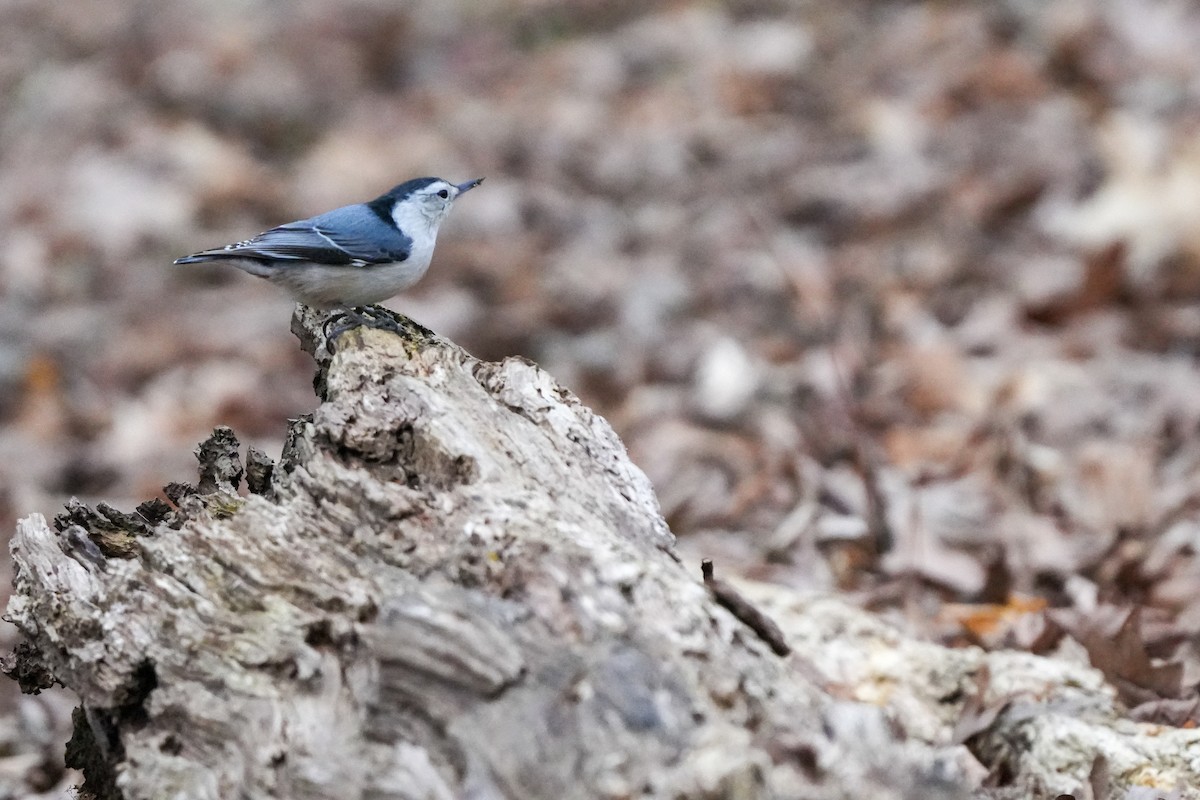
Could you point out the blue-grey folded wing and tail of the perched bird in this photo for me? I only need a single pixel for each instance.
(341, 238)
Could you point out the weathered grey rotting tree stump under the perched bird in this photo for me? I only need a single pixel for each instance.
(452, 585)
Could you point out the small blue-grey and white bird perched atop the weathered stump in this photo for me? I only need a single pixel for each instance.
(355, 256)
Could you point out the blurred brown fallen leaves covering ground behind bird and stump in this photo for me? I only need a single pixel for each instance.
(893, 299)
